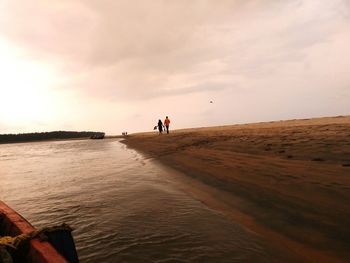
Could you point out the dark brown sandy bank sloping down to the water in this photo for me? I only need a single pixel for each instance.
(287, 181)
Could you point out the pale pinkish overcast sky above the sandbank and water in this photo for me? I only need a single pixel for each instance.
(118, 65)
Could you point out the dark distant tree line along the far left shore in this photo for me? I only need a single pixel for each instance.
(43, 136)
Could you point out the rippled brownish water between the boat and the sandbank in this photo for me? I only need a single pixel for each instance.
(123, 206)
